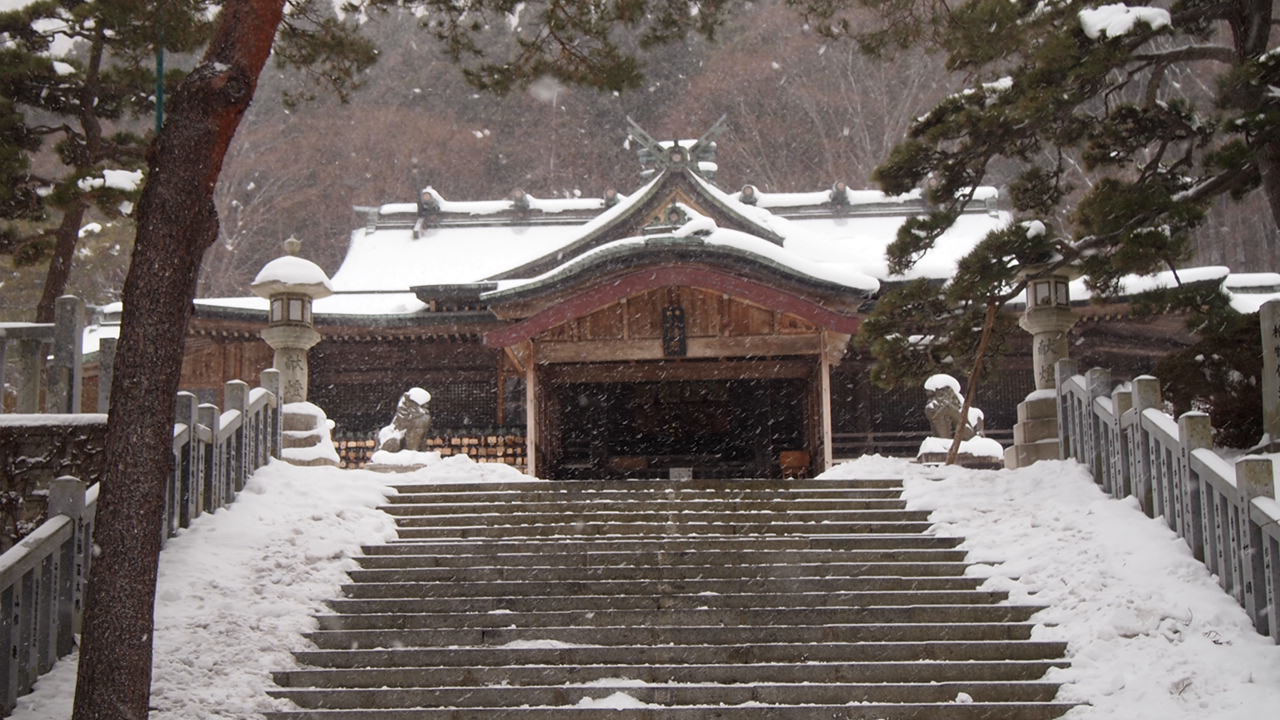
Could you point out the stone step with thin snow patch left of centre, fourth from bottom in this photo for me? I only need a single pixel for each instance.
(689, 654)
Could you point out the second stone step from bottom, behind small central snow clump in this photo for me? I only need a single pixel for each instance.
(671, 695)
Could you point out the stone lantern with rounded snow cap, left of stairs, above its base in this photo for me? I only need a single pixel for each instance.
(291, 285)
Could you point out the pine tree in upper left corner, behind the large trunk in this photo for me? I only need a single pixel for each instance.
(79, 84)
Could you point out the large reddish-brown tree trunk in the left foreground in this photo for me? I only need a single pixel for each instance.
(177, 222)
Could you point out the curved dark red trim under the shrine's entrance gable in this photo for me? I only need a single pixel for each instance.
(642, 281)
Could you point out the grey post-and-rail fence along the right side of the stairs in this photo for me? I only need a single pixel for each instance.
(1227, 513)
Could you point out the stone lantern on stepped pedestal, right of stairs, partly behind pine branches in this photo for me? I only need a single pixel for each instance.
(1049, 318)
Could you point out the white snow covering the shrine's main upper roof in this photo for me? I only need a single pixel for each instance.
(844, 244)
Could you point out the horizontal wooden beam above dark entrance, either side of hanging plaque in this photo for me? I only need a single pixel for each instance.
(698, 348)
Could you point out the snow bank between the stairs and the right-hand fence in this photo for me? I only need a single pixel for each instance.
(1151, 636)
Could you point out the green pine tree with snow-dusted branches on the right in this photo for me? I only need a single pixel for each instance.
(1084, 106)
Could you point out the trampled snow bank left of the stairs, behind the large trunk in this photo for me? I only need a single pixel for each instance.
(237, 590)
